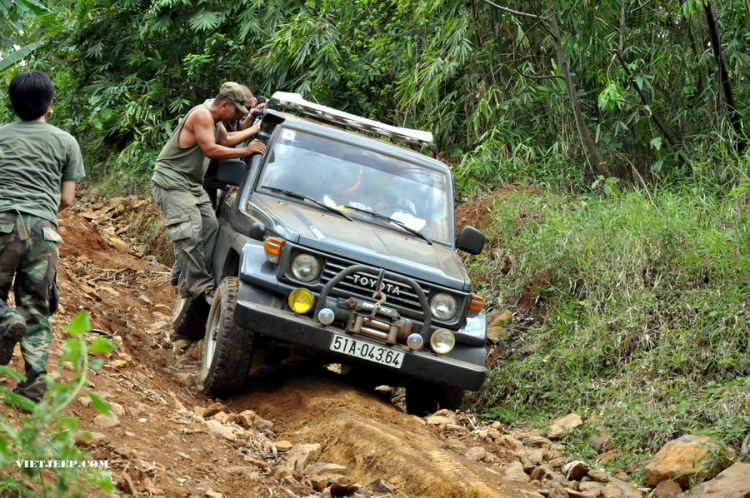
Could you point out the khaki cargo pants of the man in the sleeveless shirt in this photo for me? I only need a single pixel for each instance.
(193, 228)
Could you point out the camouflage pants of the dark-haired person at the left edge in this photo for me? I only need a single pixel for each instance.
(28, 251)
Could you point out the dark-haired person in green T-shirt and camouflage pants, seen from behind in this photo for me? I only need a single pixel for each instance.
(39, 167)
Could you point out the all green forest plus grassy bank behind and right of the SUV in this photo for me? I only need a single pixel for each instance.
(626, 273)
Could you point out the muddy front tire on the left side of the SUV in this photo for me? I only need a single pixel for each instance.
(227, 347)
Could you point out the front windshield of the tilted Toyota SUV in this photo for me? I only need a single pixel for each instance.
(342, 175)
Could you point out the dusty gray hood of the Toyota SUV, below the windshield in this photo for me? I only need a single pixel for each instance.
(364, 242)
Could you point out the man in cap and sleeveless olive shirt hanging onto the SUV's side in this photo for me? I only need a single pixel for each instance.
(177, 183)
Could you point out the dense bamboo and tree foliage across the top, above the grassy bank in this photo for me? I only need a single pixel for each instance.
(497, 82)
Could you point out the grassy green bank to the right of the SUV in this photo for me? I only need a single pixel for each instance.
(639, 308)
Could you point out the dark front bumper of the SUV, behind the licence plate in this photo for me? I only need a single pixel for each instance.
(287, 327)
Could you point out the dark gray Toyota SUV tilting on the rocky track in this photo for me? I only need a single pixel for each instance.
(340, 246)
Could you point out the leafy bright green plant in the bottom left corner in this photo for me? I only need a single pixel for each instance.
(47, 434)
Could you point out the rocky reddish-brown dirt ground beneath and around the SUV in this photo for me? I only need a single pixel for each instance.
(297, 431)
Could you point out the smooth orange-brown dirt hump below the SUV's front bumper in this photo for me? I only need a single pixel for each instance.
(368, 435)
